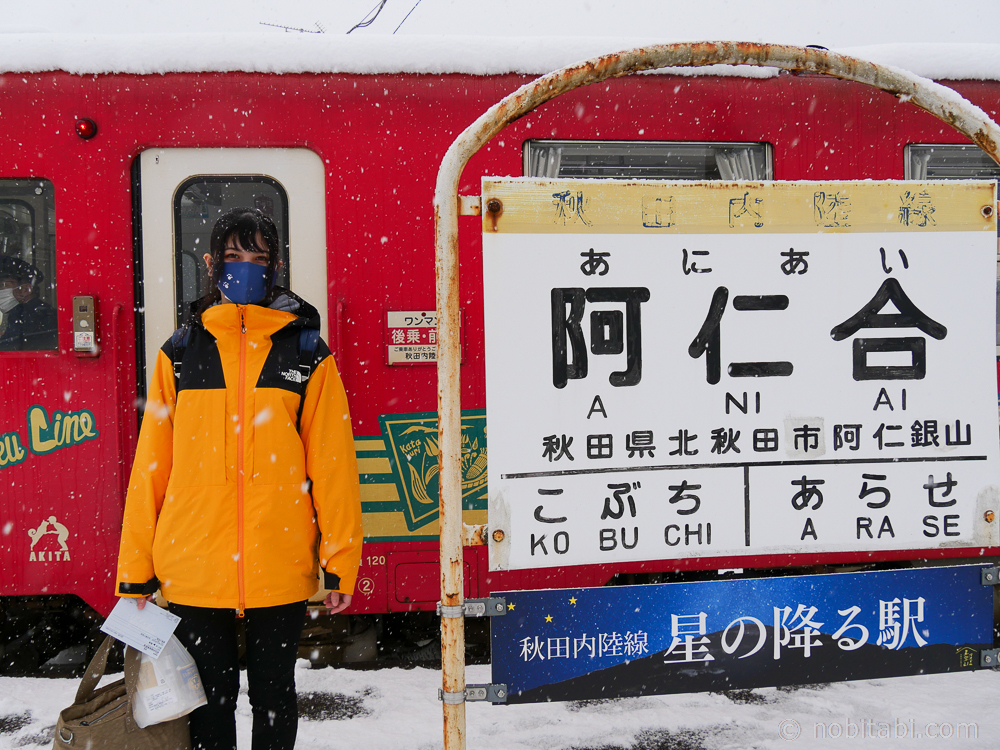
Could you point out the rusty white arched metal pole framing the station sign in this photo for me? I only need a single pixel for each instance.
(939, 100)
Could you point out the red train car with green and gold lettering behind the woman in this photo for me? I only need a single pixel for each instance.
(109, 187)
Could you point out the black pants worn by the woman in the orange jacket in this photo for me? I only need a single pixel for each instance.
(272, 639)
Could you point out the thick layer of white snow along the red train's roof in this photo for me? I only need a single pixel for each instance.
(369, 54)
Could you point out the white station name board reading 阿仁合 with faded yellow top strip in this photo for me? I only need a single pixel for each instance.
(729, 370)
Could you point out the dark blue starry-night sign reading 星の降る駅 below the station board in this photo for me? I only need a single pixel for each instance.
(617, 641)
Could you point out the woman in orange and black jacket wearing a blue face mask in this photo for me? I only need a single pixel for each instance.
(244, 469)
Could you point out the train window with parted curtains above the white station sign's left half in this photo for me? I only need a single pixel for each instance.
(648, 160)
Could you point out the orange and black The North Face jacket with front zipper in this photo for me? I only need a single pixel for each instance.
(227, 502)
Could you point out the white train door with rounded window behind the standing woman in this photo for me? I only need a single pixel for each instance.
(181, 194)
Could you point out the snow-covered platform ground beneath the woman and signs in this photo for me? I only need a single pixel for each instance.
(397, 709)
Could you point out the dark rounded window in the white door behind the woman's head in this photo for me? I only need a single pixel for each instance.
(198, 203)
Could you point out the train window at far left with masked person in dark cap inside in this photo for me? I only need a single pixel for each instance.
(28, 320)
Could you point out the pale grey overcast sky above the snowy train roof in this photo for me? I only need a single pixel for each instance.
(831, 23)
